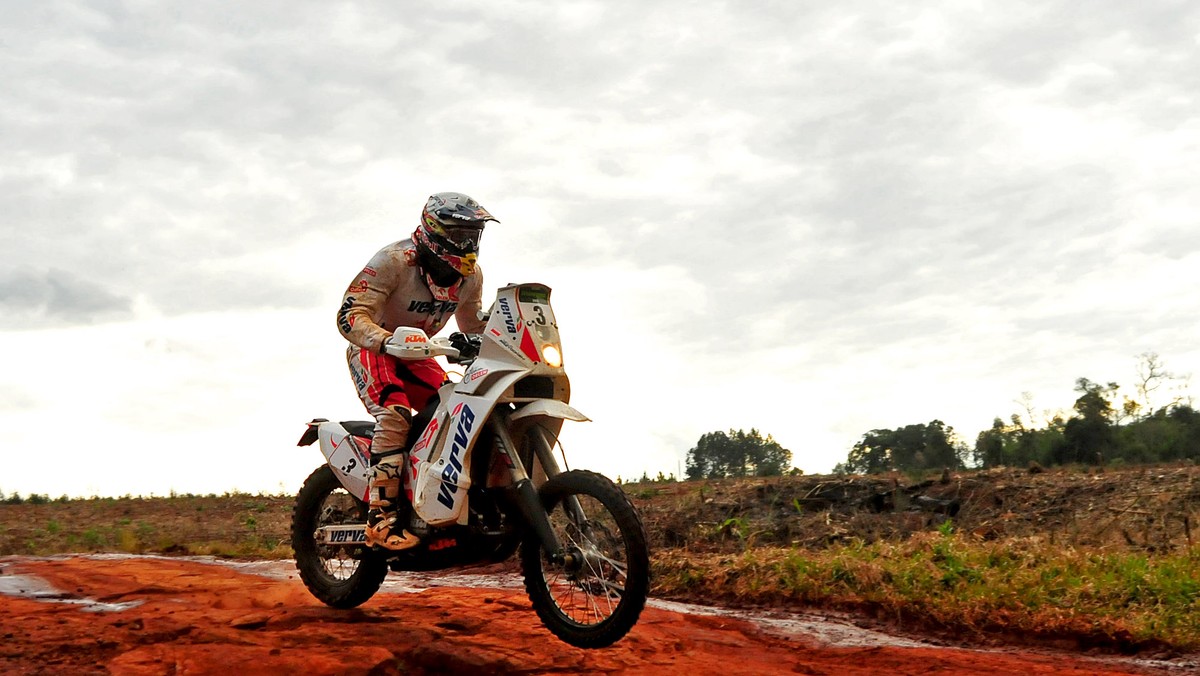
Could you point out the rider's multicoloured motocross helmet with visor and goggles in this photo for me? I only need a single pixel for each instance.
(448, 238)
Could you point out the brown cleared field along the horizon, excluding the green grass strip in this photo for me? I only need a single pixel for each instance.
(1144, 510)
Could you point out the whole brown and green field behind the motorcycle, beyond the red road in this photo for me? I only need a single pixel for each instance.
(1058, 557)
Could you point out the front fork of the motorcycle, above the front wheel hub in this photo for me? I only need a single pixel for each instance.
(527, 499)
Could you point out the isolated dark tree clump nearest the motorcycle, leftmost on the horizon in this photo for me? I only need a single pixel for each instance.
(737, 454)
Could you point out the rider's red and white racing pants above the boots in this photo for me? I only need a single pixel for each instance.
(391, 390)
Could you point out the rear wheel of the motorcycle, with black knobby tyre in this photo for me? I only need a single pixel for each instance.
(341, 577)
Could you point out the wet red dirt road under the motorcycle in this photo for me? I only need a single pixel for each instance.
(196, 618)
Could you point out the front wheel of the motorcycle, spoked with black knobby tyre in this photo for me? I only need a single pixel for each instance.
(596, 597)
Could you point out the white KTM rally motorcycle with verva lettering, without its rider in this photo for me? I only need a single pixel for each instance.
(485, 482)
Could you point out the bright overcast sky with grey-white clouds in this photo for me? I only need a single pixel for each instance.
(814, 220)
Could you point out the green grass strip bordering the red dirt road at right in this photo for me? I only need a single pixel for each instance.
(951, 582)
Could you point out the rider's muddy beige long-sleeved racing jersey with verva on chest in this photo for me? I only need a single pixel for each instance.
(392, 292)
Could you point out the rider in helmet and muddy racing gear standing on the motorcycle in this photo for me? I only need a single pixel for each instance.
(417, 284)
